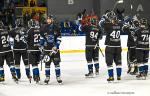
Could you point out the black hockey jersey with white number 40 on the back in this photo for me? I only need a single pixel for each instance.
(113, 34)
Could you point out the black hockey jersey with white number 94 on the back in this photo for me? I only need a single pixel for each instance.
(93, 34)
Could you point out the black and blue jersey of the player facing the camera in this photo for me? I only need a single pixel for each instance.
(52, 35)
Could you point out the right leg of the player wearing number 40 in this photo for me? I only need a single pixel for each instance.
(117, 60)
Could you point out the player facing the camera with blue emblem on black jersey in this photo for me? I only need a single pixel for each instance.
(51, 39)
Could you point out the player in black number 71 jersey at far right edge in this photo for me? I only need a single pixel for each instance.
(142, 48)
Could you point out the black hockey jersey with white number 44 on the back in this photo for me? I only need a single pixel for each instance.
(19, 36)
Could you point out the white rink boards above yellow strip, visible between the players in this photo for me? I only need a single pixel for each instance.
(78, 42)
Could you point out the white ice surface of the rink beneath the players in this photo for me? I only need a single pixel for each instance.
(74, 83)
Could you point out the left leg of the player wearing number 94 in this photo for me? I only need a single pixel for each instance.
(88, 53)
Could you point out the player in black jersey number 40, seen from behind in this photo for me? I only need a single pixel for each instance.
(113, 48)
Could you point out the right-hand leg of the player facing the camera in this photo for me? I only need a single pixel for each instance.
(56, 61)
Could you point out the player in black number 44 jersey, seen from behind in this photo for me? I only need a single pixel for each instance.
(20, 48)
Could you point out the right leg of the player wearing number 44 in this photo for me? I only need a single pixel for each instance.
(26, 63)
